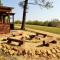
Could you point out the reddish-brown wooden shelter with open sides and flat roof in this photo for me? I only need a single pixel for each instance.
(6, 16)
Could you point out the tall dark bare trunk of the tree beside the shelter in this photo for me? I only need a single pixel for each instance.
(24, 14)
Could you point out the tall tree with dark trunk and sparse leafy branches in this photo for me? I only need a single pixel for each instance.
(41, 3)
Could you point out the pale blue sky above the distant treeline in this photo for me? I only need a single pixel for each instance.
(34, 12)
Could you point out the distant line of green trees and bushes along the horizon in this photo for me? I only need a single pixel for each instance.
(52, 23)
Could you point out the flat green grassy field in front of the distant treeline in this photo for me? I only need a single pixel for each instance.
(43, 28)
